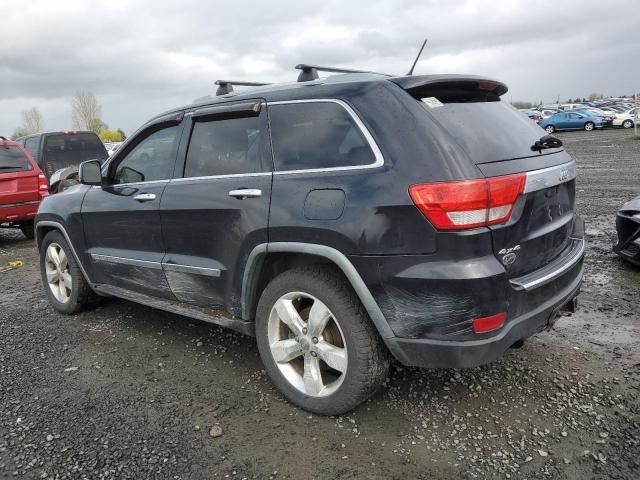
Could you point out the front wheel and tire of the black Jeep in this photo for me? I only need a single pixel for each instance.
(77, 295)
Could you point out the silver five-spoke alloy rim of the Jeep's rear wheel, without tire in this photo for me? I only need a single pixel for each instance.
(307, 344)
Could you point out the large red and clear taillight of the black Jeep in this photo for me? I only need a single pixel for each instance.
(468, 203)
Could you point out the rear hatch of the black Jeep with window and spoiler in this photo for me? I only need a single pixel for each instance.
(499, 140)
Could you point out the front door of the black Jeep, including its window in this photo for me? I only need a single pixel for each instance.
(121, 219)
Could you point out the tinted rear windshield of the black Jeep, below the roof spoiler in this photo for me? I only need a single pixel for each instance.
(488, 131)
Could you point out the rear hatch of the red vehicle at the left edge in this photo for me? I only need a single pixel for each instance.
(18, 178)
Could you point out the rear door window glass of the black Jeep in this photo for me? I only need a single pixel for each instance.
(224, 147)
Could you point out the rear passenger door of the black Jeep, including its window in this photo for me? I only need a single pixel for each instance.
(217, 209)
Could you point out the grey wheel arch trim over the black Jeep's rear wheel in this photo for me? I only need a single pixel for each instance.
(260, 257)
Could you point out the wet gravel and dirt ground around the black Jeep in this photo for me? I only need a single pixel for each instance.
(130, 392)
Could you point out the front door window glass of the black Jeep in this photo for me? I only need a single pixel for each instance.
(151, 159)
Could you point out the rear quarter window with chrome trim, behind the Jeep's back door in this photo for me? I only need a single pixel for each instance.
(313, 135)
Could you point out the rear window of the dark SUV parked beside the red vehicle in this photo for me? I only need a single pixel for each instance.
(69, 149)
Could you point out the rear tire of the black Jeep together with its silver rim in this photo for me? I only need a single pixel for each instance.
(357, 351)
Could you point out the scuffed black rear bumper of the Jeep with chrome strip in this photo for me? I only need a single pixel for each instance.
(430, 305)
